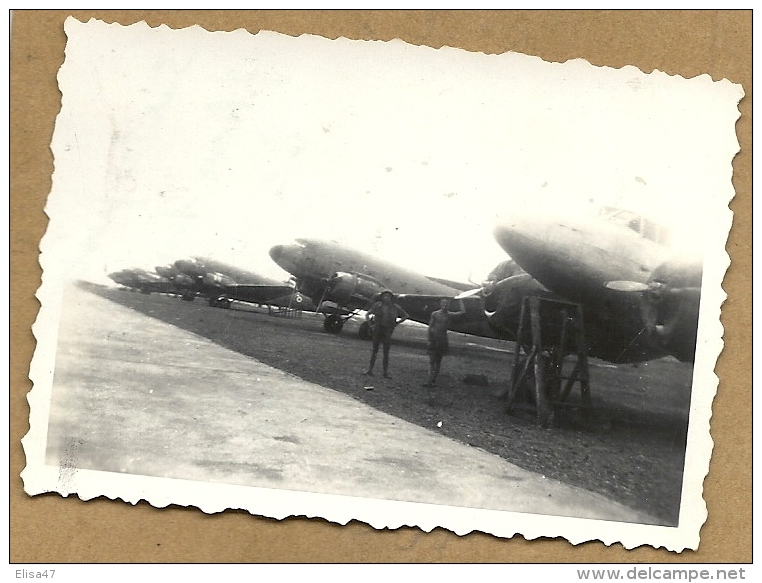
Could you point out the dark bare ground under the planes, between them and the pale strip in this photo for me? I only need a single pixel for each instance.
(630, 447)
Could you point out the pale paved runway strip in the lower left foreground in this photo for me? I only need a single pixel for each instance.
(146, 398)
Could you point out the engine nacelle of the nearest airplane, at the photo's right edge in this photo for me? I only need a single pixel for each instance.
(670, 306)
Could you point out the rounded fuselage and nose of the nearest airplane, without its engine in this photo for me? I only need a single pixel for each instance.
(577, 258)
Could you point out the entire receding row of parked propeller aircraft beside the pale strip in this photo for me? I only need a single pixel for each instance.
(638, 302)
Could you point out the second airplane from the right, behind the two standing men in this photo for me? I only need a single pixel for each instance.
(342, 281)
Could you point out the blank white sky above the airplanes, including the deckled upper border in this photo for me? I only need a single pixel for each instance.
(172, 143)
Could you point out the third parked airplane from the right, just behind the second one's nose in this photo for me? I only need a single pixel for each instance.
(222, 283)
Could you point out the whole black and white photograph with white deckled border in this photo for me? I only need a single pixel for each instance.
(374, 281)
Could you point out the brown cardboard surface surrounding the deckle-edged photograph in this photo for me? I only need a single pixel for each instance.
(50, 528)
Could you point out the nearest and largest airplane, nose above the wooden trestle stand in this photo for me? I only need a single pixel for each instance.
(639, 300)
